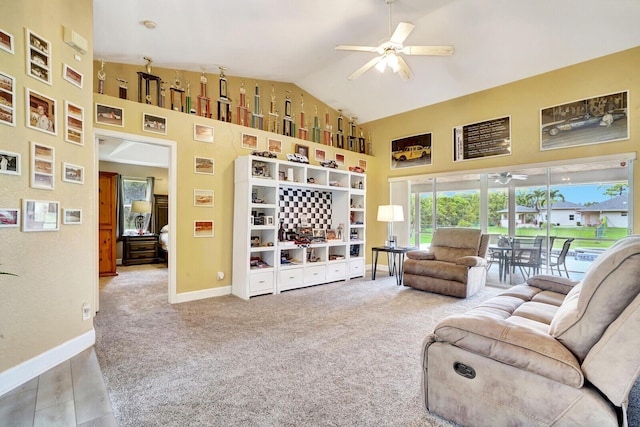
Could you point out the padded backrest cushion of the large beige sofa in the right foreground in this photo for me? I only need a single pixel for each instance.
(609, 285)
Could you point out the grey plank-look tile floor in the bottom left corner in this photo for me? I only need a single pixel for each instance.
(70, 394)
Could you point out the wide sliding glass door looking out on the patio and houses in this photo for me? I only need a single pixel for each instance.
(588, 202)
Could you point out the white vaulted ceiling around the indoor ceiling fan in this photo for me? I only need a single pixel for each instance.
(495, 41)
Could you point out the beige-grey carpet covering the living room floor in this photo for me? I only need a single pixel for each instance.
(346, 353)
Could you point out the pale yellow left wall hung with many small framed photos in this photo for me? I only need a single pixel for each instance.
(42, 308)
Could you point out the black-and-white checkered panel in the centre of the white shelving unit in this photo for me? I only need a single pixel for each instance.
(294, 203)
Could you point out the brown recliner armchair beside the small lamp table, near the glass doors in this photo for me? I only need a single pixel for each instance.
(455, 264)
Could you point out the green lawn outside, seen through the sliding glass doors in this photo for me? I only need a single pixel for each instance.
(585, 236)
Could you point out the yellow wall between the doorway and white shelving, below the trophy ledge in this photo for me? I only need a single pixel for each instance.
(199, 259)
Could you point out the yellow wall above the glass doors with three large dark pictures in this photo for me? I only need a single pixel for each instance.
(522, 100)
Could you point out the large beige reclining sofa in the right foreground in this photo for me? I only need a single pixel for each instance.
(553, 351)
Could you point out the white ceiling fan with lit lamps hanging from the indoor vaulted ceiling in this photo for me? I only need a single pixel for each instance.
(390, 51)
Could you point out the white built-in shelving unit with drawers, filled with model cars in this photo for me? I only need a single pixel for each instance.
(279, 199)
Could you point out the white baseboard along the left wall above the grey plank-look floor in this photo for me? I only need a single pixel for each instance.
(26, 371)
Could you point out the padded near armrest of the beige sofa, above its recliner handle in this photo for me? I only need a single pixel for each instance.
(512, 344)
